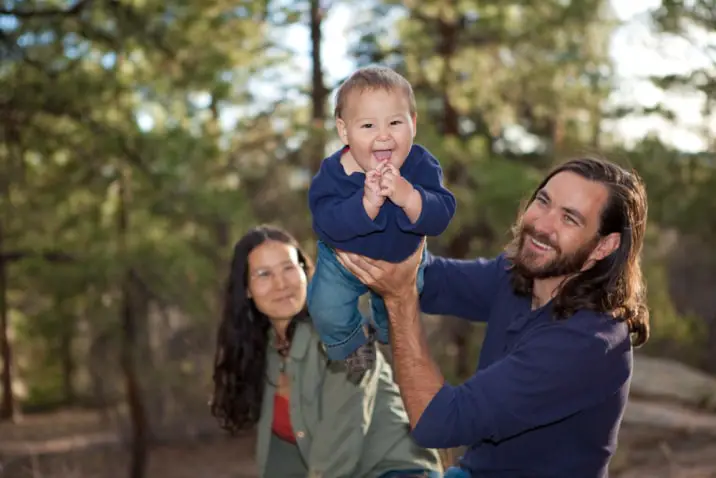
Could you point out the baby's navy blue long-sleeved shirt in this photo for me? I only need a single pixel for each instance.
(340, 220)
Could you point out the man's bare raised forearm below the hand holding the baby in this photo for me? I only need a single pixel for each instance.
(417, 375)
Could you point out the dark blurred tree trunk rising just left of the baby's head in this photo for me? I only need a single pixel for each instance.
(319, 93)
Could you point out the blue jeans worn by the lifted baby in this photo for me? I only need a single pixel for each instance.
(333, 304)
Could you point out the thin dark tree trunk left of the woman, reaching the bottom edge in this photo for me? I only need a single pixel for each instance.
(135, 401)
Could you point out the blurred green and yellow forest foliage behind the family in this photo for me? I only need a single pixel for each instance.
(163, 98)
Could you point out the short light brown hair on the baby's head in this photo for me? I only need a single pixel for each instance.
(373, 77)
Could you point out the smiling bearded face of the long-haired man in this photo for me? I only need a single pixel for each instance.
(559, 231)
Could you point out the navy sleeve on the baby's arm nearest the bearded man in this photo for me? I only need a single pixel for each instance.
(438, 203)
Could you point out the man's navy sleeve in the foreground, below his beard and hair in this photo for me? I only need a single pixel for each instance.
(557, 372)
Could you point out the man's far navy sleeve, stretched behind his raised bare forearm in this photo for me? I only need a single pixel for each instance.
(463, 288)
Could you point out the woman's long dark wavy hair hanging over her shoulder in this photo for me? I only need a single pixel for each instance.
(243, 337)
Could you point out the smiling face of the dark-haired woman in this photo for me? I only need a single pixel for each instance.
(276, 282)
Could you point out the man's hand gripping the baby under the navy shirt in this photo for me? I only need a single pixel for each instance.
(390, 280)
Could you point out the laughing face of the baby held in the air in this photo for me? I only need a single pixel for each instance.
(378, 127)
